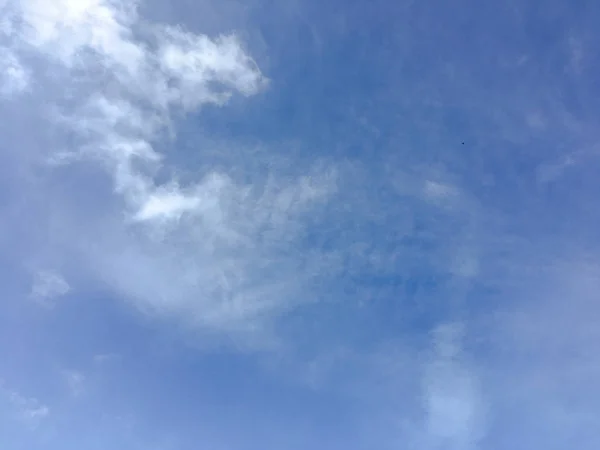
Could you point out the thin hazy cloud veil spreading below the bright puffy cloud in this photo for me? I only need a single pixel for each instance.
(230, 265)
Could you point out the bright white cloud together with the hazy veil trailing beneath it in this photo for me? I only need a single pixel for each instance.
(227, 256)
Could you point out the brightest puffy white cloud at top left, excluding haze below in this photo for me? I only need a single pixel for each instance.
(174, 70)
